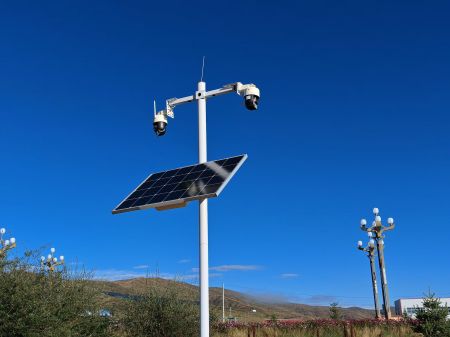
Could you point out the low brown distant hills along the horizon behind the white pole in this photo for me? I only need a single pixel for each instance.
(242, 305)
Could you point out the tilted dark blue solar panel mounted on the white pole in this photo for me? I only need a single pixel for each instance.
(174, 188)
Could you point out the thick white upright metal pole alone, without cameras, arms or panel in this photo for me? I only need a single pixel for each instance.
(203, 216)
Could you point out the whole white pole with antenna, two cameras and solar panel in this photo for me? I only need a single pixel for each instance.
(174, 199)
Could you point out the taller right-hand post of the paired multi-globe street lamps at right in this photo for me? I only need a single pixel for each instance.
(377, 230)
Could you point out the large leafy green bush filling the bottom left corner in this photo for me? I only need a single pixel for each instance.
(34, 303)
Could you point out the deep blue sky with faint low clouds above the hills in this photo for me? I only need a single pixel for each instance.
(354, 114)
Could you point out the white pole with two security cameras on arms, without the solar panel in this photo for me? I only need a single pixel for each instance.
(251, 96)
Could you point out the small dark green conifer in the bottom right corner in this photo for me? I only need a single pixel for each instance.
(432, 317)
